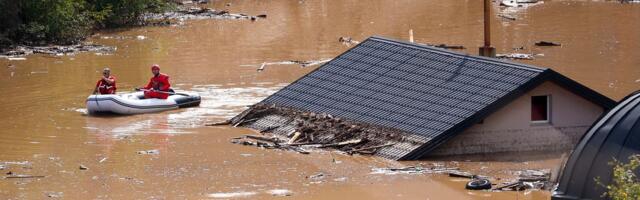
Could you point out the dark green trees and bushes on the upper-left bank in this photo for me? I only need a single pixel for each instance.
(37, 22)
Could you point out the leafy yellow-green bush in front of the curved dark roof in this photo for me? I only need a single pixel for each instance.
(625, 184)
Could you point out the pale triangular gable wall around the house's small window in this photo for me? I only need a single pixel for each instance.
(510, 129)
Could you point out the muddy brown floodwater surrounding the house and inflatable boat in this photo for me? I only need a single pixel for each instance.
(44, 130)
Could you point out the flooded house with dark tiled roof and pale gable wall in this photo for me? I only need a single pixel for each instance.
(443, 102)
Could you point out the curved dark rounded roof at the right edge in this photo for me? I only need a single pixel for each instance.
(613, 136)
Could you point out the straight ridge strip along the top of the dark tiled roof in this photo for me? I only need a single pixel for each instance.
(458, 54)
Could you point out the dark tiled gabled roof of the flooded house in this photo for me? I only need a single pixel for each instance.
(429, 92)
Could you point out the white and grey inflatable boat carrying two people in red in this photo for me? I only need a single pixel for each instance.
(135, 103)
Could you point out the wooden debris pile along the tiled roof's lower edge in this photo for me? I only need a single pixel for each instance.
(313, 130)
